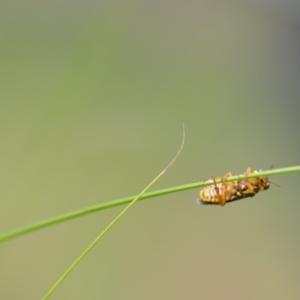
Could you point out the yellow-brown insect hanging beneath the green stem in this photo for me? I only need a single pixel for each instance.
(221, 193)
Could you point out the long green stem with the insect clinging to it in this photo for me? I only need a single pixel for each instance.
(82, 212)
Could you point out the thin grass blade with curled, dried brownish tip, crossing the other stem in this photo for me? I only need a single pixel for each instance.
(117, 218)
